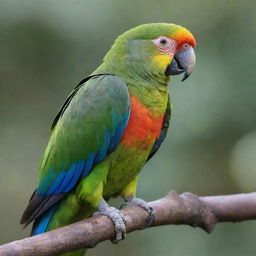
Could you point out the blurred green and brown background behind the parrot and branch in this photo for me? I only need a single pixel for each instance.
(47, 47)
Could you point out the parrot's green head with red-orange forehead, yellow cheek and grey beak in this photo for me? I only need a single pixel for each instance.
(154, 50)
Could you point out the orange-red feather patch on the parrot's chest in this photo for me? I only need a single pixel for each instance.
(143, 126)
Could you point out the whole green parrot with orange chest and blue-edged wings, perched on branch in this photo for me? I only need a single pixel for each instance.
(108, 128)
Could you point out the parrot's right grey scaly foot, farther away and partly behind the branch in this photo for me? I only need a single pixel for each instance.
(134, 201)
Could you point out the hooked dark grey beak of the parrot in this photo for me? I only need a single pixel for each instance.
(182, 62)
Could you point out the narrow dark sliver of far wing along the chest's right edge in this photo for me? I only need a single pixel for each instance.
(164, 130)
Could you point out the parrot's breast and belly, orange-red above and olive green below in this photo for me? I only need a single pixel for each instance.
(142, 130)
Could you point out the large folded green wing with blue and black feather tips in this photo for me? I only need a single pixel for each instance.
(88, 127)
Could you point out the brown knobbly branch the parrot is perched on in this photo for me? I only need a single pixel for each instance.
(186, 208)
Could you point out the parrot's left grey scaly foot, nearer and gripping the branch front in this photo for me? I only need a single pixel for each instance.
(116, 216)
